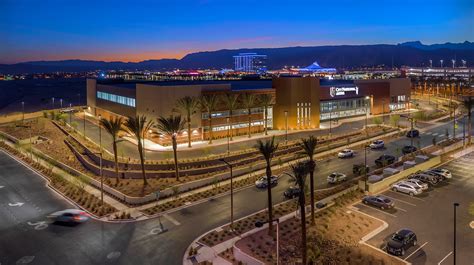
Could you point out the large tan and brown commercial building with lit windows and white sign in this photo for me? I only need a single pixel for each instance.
(299, 102)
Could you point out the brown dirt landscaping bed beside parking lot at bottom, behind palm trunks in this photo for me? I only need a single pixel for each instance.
(333, 240)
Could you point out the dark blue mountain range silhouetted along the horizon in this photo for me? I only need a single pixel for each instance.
(412, 53)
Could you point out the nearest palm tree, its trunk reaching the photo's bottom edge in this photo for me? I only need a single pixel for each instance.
(300, 170)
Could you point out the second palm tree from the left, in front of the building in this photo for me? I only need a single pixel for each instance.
(138, 126)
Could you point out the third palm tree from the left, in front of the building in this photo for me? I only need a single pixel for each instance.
(171, 127)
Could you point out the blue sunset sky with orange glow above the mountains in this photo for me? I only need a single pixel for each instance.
(138, 30)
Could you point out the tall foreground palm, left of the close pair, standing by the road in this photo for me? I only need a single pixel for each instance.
(267, 149)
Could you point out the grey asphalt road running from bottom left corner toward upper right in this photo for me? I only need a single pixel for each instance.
(128, 243)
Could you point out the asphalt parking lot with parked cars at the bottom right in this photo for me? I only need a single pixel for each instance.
(431, 216)
